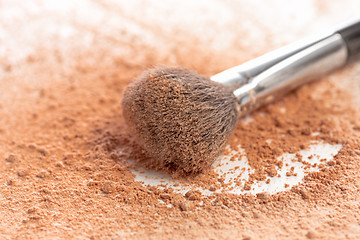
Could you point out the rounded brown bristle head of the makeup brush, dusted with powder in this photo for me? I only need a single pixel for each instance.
(181, 118)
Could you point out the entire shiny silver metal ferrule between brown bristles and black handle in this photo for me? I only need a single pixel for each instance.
(273, 79)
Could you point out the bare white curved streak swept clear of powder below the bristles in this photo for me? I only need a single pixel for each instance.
(239, 169)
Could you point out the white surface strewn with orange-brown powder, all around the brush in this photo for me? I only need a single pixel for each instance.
(65, 150)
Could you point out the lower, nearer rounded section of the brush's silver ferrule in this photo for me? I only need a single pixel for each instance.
(296, 70)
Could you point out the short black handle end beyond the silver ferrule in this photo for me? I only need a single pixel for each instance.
(351, 35)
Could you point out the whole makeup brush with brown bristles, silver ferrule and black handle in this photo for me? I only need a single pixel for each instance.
(184, 120)
